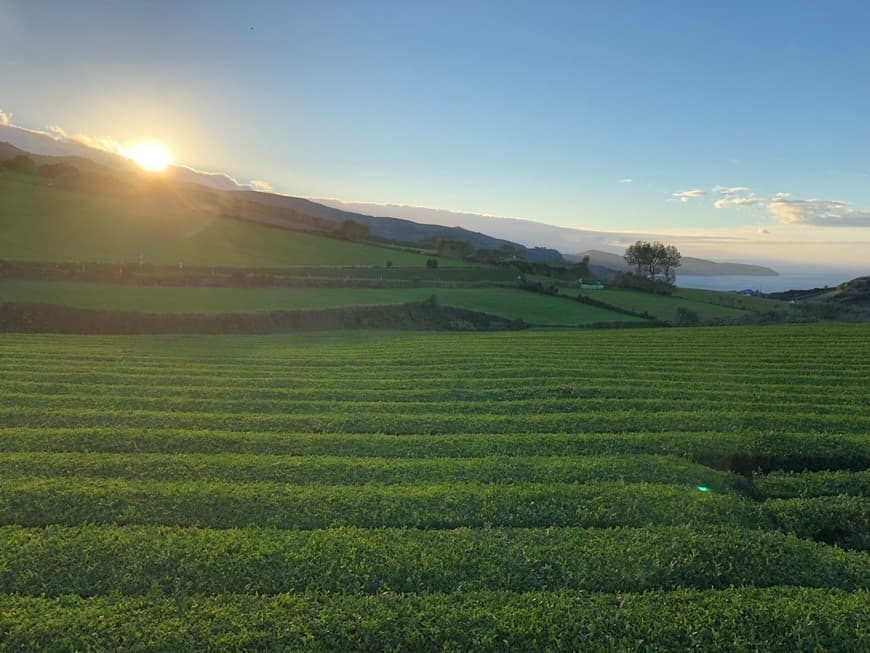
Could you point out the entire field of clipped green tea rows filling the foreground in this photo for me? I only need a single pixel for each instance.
(667, 489)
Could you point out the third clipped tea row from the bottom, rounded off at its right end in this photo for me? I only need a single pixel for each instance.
(40, 502)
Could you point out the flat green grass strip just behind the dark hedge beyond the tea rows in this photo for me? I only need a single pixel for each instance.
(504, 302)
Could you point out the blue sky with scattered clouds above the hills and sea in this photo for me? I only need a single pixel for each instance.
(737, 119)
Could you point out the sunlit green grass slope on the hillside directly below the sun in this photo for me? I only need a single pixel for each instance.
(38, 223)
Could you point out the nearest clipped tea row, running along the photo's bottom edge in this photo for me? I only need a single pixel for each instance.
(780, 619)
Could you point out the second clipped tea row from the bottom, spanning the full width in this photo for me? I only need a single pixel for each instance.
(97, 560)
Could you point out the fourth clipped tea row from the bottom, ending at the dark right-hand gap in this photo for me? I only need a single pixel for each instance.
(347, 470)
